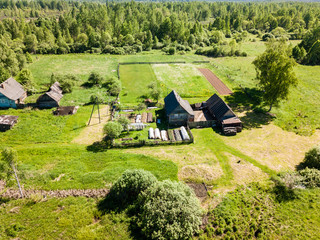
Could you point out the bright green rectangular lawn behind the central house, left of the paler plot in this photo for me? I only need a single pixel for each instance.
(135, 79)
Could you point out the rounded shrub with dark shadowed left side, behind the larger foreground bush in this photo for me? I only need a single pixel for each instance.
(126, 189)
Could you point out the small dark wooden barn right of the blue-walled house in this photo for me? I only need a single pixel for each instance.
(51, 98)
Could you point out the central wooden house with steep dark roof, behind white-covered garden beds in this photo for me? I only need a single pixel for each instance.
(178, 111)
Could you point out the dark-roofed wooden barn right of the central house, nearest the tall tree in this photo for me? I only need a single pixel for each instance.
(223, 113)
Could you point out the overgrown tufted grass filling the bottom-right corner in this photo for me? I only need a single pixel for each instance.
(254, 212)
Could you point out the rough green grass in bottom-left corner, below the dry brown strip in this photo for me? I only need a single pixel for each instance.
(68, 218)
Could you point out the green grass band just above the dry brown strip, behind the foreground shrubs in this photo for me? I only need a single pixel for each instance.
(40, 166)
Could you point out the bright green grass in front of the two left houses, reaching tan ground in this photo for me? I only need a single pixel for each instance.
(41, 126)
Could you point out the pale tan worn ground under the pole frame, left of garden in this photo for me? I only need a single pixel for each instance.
(94, 132)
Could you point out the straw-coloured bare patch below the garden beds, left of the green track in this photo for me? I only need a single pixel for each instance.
(194, 164)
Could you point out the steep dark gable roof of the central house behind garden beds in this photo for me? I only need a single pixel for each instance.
(173, 100)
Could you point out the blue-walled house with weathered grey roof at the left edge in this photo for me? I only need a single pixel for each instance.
(12, 94)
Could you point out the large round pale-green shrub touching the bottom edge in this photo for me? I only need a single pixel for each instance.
(169, 210)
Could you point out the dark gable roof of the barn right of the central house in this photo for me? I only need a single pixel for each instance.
(218, 107)
